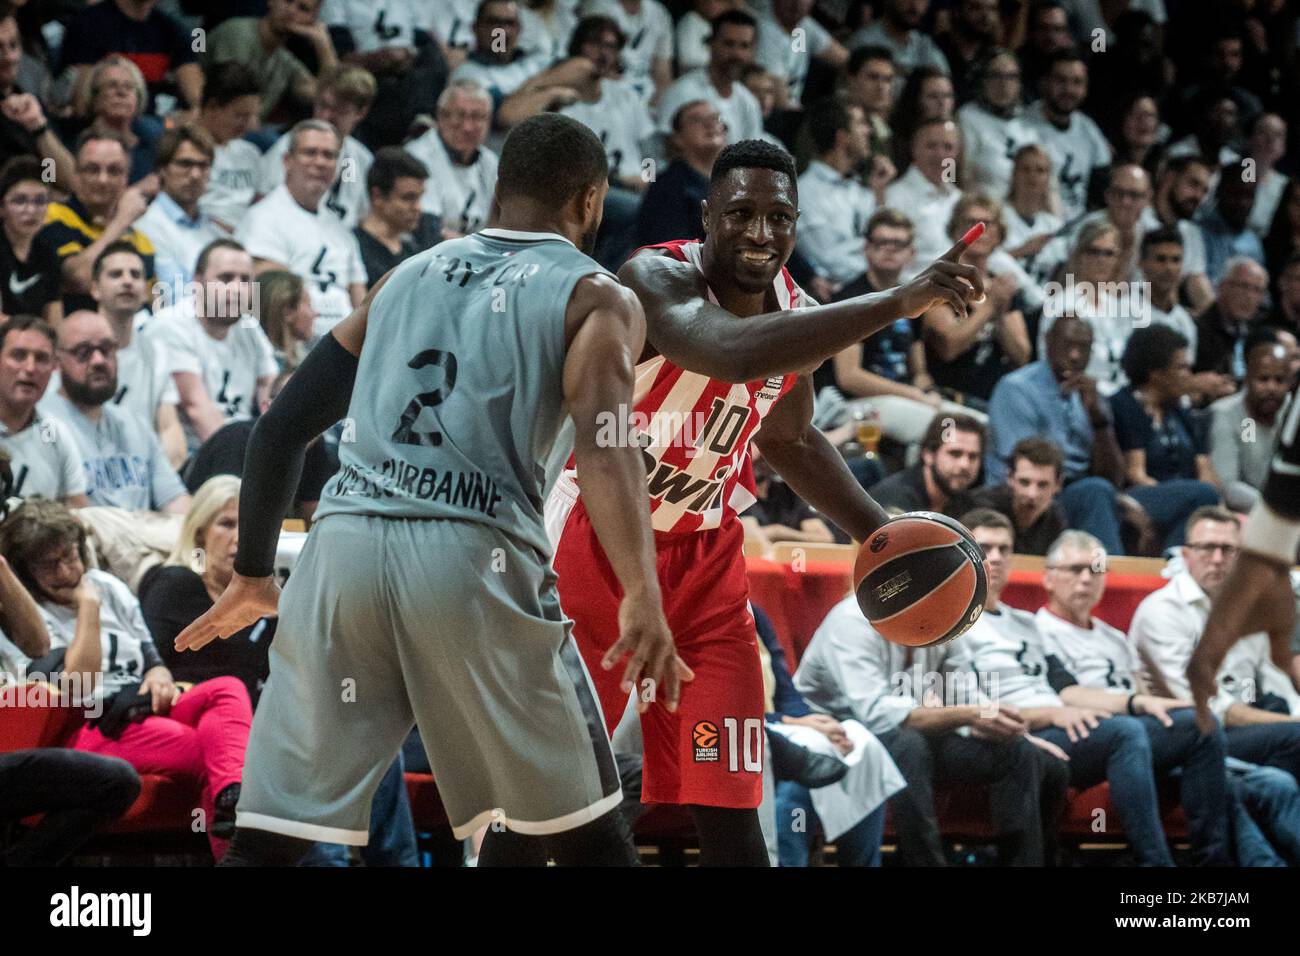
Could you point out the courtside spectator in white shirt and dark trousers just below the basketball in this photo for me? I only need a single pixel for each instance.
(851, 672)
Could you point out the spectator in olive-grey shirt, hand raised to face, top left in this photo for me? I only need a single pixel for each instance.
(261, 45)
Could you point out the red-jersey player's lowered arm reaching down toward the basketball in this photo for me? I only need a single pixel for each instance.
(812, 466)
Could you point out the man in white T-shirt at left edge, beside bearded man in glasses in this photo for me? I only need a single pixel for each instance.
(44, 455)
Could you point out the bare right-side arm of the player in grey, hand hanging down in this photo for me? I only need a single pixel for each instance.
(606, 331)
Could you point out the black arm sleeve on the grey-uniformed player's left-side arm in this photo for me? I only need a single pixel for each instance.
(315, 399)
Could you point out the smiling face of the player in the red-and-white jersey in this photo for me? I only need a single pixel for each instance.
(751, 227)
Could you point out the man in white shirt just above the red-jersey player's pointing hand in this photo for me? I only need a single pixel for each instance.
(929, 192)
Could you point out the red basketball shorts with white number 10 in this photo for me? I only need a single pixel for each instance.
(712, 751)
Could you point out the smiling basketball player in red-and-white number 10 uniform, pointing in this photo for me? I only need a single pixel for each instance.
(723, 356)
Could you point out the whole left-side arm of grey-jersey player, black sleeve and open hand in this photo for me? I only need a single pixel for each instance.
(314, 400)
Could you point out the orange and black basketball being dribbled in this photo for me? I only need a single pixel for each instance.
(921, 579)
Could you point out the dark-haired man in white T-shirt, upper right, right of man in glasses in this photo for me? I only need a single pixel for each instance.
(1072, 139)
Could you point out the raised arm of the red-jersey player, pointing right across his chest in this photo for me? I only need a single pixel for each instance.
(692, 332)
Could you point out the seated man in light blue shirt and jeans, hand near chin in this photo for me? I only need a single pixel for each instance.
(1056, 400)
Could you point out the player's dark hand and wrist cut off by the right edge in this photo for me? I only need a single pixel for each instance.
(1256, 596)
